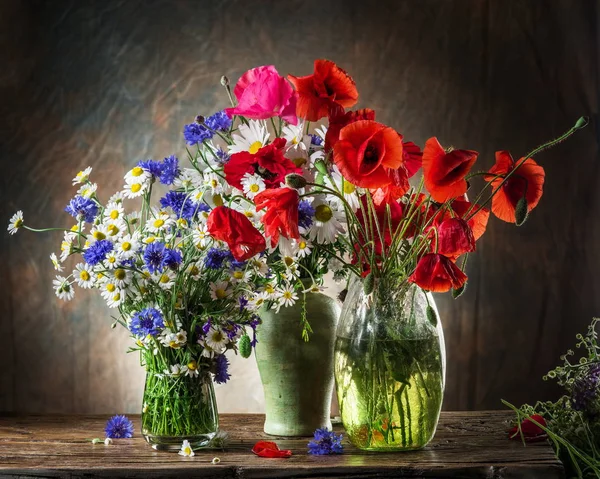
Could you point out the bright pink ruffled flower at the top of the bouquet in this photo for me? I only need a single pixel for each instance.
(262, 93)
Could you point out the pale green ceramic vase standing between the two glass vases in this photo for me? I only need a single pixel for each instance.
(297, 376)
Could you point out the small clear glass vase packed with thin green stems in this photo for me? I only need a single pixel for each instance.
(178, 408)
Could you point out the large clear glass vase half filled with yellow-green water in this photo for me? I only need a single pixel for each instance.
(390, 366)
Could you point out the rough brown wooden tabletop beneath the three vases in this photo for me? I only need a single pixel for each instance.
(467, 445)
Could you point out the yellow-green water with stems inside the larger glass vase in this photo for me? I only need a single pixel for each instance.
(390, 391)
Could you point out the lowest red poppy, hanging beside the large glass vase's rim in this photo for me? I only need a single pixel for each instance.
(437, 273)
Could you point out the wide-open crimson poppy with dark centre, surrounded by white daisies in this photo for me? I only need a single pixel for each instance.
(268, 162)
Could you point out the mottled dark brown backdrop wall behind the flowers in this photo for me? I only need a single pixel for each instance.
(107, 83)
